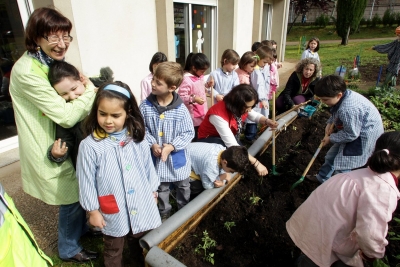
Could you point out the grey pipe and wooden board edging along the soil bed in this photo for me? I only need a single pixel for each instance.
(174, 229)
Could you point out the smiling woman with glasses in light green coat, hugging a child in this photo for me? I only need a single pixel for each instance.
(38, 108)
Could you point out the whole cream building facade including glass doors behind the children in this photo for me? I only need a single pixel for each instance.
(124, 34)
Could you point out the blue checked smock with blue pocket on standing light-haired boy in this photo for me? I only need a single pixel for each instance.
(175, 127)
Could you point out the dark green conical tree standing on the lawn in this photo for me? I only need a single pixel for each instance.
(349, 14)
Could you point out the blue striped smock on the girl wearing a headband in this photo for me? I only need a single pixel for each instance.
(106, 168)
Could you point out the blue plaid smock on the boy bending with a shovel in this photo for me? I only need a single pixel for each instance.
(360, 125)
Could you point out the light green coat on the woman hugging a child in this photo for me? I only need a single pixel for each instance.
(38, 108)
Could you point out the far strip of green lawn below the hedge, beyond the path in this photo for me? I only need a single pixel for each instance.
(329, 33)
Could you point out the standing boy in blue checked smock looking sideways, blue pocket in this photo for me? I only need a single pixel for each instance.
(169, 129)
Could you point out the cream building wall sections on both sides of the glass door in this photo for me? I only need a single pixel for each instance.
(125, 36)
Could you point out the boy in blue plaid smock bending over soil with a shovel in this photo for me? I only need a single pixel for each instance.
(358, 124)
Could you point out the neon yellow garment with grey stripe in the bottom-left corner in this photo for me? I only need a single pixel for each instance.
(18, 246)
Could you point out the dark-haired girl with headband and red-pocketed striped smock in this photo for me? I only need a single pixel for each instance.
(117, 180)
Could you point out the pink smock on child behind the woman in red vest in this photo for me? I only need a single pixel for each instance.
(193, 85)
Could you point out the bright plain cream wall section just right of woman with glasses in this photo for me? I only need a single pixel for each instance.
(122, 36)
